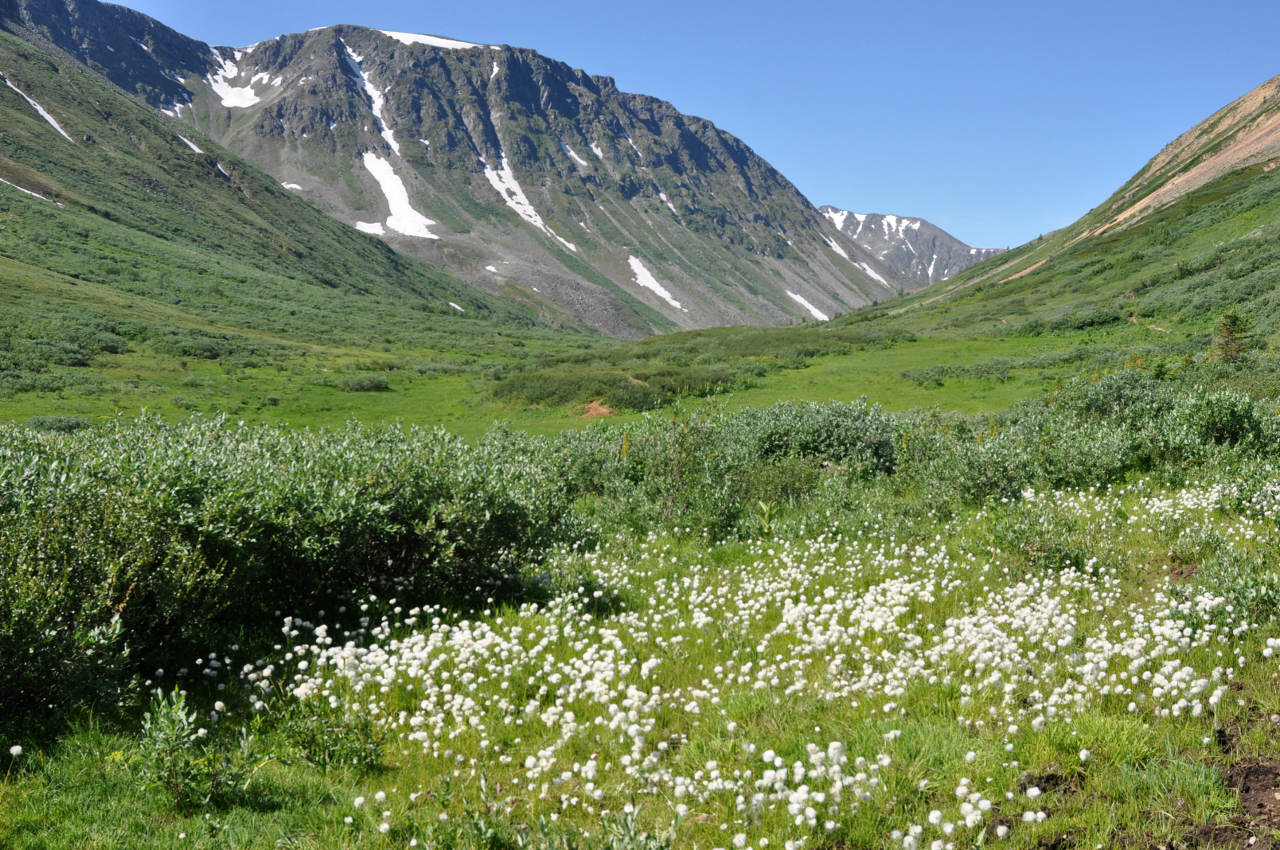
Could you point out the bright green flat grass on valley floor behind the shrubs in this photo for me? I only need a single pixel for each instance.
(305, 389)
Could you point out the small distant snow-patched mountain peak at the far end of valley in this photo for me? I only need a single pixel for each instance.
(912, 249)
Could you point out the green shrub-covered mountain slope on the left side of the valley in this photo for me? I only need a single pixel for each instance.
(124, 230)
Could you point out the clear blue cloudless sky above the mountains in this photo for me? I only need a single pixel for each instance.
(995, 121)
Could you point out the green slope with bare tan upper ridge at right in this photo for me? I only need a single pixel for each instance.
(1195, 234)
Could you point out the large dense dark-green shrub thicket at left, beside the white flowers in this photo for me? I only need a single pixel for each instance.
(190, 536)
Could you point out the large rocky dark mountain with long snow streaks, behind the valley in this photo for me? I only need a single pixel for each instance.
(511, 171)
